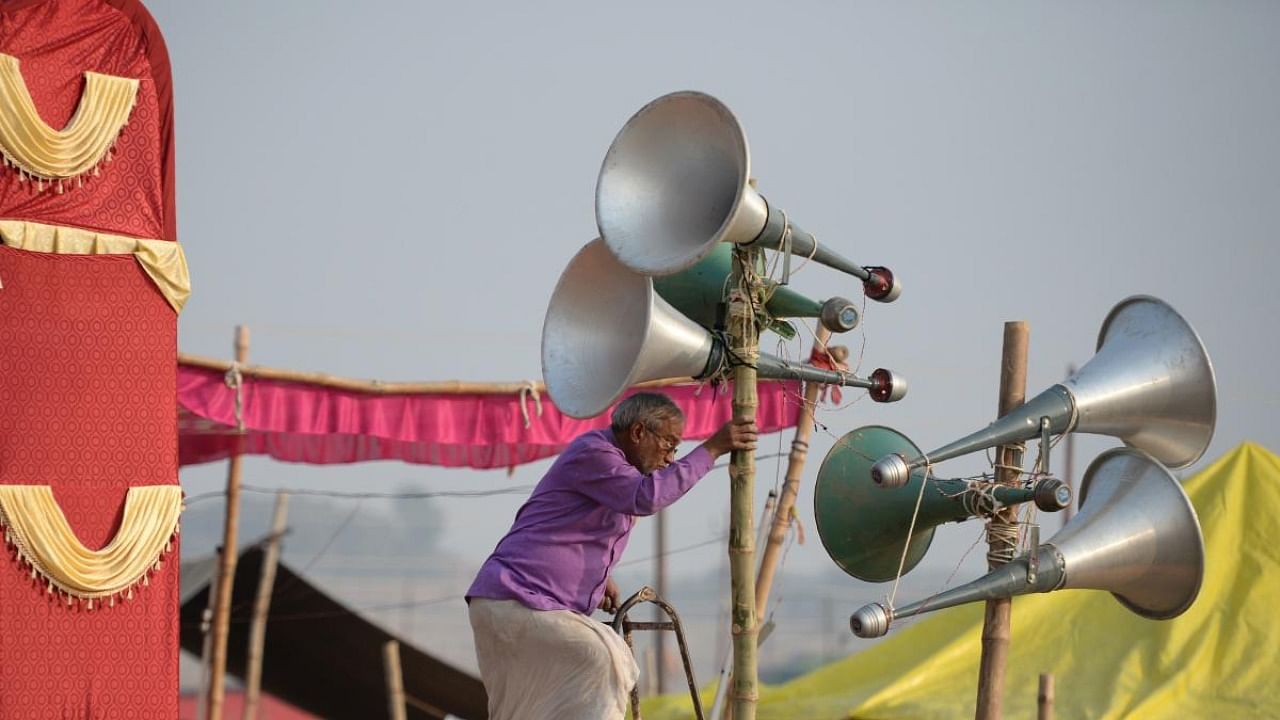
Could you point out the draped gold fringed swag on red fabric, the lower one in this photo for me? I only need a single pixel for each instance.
(36, 526)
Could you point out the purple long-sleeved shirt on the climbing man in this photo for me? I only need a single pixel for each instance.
(573, 530)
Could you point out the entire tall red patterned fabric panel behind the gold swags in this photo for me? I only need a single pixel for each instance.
(88, 371)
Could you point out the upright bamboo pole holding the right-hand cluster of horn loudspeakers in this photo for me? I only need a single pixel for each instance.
(1009, 463)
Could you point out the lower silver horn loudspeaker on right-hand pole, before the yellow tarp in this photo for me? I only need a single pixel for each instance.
(1136, 536)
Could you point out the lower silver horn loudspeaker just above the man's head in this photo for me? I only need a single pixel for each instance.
(607, 330)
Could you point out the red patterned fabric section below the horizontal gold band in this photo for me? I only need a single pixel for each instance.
(86, 407)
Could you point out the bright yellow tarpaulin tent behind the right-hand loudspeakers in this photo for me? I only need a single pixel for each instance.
(1220, 660)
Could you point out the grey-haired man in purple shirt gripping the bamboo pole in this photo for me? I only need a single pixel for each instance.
(541, 655)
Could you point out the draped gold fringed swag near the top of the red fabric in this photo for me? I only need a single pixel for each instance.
(51, 156)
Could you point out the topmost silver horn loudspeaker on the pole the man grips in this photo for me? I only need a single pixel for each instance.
(676, 183)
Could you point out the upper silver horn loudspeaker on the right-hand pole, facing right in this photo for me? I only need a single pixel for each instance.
(1151, 385)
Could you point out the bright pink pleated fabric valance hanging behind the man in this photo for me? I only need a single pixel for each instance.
(324, 426)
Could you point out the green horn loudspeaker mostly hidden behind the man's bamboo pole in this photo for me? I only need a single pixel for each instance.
(698, 293)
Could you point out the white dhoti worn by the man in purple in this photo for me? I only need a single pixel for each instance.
(551, 664)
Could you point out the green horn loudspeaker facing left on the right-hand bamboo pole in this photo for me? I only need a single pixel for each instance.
(863, 527)
